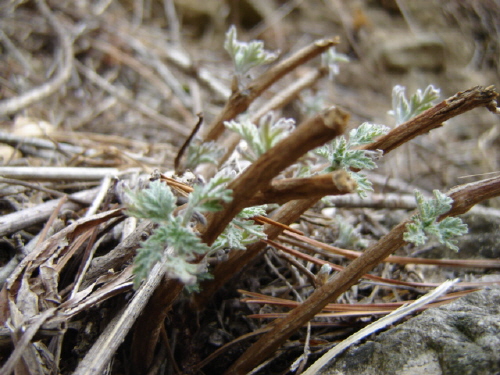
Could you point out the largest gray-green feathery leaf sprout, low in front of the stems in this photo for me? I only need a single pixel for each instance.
(175, 239)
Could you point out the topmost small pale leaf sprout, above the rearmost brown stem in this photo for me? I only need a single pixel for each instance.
(246, 55)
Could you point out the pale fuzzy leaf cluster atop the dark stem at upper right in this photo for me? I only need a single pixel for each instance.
(404, 109)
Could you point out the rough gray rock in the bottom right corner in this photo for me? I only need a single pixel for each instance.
(460, 338)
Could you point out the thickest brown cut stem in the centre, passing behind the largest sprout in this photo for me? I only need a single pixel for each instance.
(309, 135)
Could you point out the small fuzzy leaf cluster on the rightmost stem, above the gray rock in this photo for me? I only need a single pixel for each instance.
(425, 223)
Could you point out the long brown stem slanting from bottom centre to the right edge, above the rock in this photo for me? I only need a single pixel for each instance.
(464, 198)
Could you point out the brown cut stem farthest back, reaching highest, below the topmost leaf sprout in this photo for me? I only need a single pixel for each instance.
(241, 100)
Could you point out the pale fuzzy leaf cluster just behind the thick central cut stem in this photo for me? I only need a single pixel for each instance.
(260, 139)
